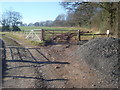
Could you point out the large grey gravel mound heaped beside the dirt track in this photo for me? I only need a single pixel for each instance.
(102, 54)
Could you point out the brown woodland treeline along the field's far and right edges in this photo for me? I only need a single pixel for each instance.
(92, 15)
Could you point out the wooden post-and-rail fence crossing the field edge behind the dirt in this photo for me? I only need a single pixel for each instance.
(42, 34)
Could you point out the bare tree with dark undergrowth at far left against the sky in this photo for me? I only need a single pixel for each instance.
(10, 19)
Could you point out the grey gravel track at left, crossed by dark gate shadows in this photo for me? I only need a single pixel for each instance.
(26, 67)
